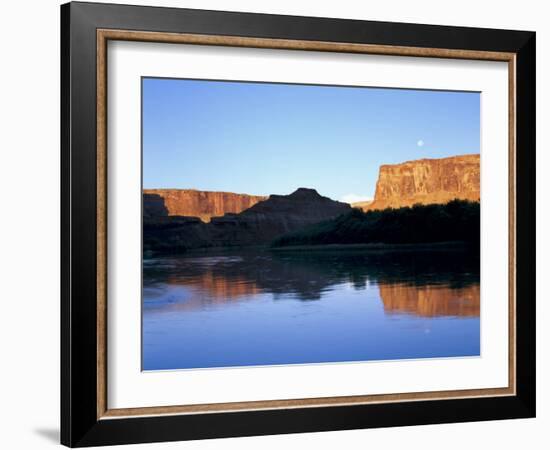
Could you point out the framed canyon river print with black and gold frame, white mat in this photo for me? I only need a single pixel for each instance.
(277, 224)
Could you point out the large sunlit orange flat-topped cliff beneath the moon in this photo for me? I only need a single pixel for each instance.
(427, 181)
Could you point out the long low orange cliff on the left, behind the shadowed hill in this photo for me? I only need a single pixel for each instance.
(195, 203)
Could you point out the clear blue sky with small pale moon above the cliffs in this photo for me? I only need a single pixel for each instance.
(266, 138)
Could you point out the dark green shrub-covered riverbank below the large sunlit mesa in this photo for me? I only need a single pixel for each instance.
(457, 220)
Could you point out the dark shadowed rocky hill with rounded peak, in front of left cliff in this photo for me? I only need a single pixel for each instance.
(259, 224)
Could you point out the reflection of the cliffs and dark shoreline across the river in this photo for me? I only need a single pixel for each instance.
(421, 283)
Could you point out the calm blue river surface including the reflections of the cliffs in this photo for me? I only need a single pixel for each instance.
(261, 307)
